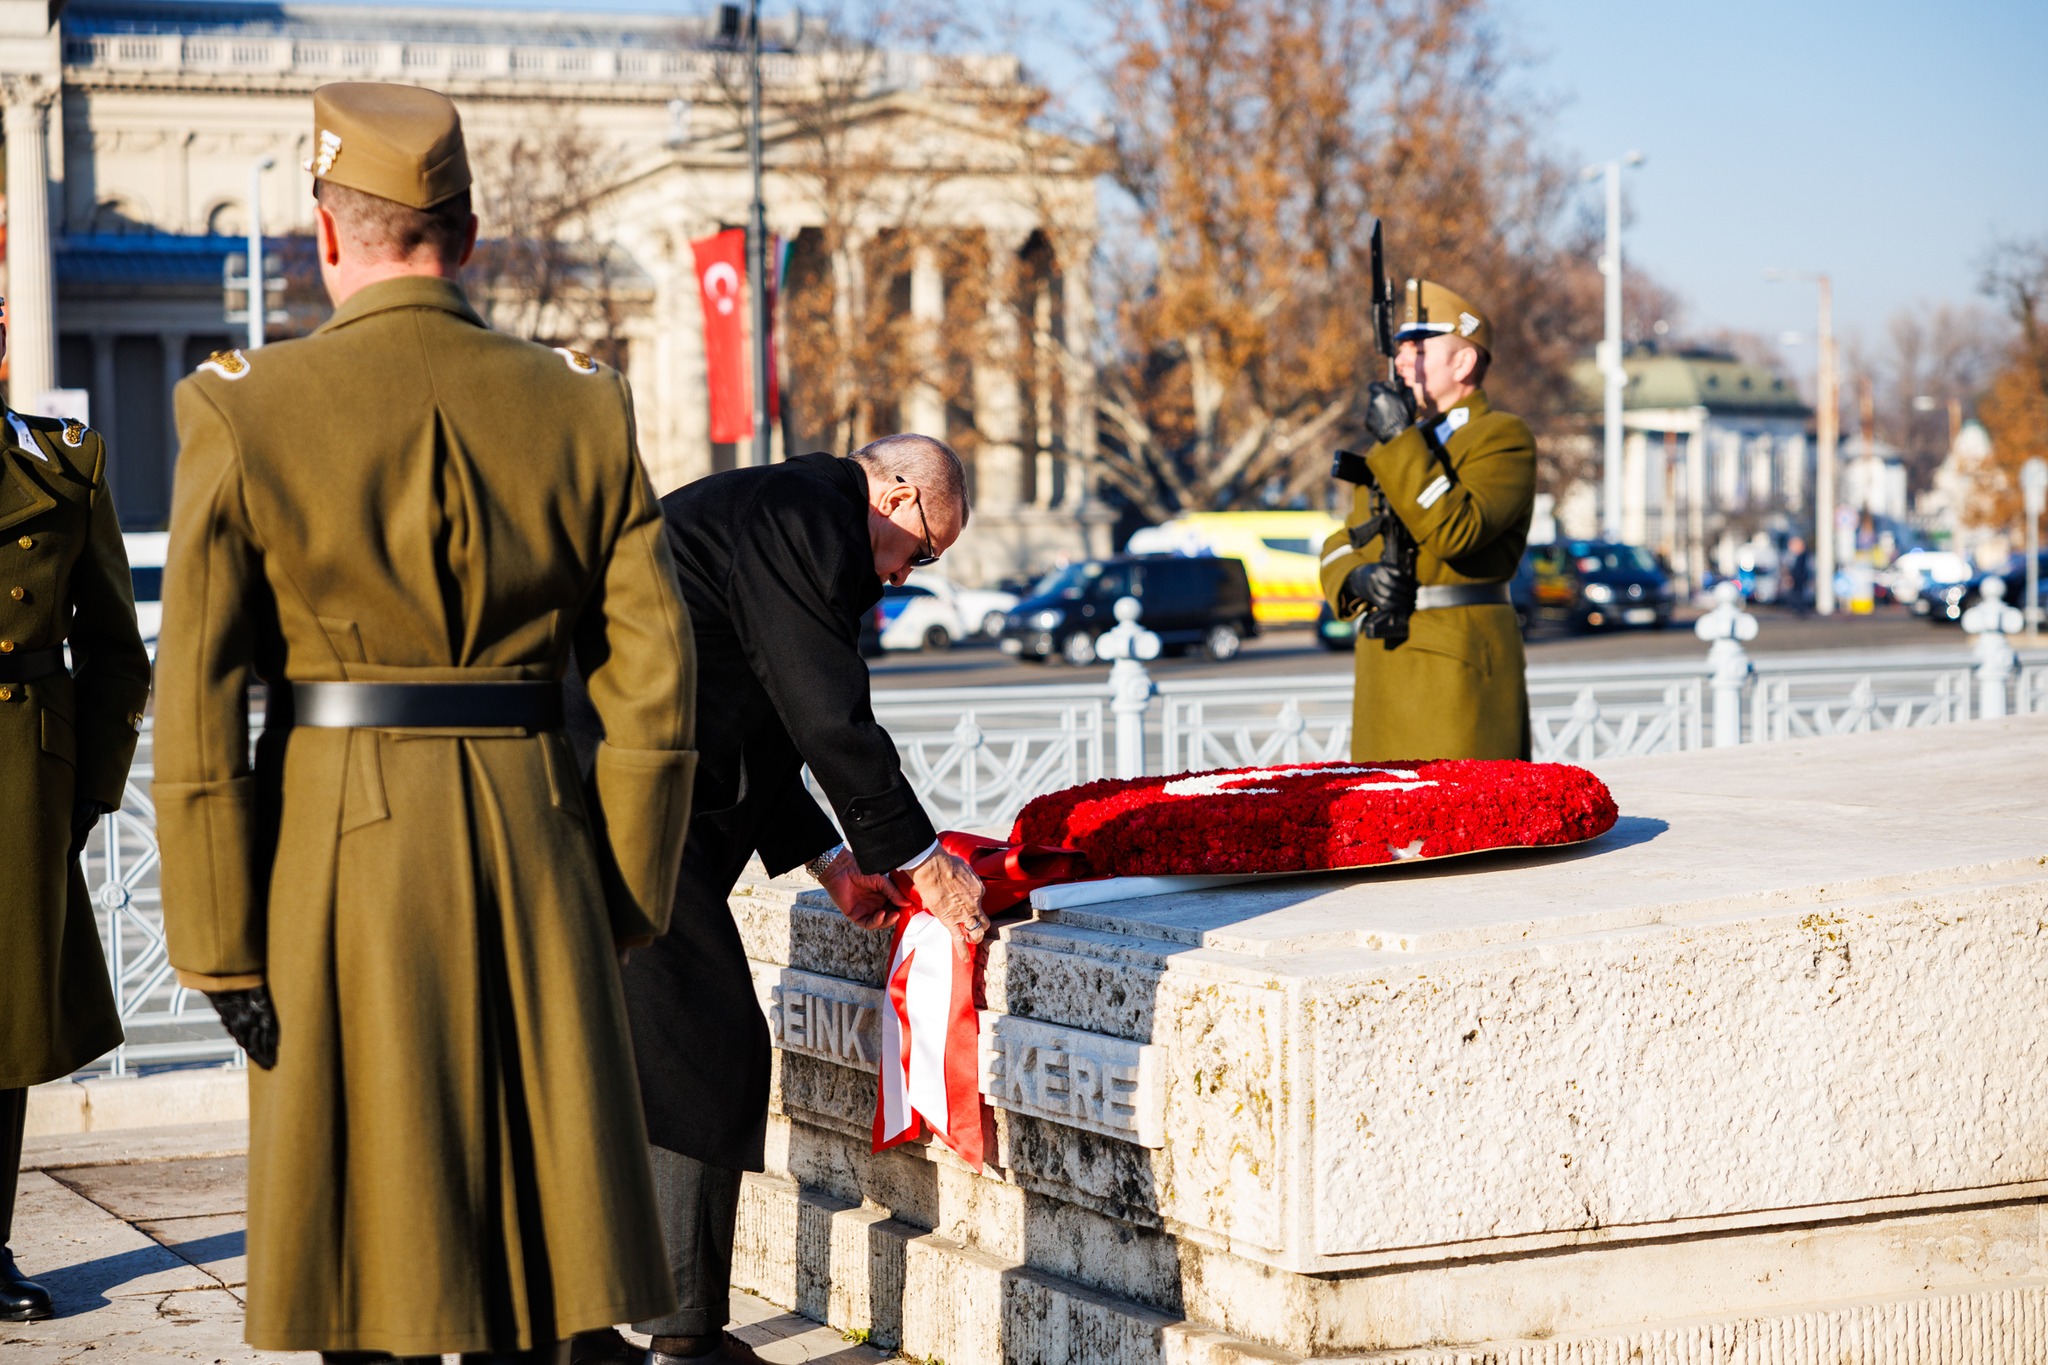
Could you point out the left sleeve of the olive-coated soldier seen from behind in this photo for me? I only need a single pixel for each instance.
(206, 787)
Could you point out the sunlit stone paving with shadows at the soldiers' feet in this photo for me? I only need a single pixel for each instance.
(138, 1237)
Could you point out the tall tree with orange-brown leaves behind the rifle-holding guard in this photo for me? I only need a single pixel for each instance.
(1254, 138)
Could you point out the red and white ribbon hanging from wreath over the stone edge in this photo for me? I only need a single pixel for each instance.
(933, 1024)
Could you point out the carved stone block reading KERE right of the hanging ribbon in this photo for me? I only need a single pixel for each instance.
(1093, 1082)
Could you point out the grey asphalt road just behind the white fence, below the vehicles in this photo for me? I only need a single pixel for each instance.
(1295, 654)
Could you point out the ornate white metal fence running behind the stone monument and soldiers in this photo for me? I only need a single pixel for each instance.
(978, 754)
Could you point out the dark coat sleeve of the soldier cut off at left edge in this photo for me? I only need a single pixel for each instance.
(110, 664)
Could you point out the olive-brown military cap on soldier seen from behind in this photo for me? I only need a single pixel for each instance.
(394, 142)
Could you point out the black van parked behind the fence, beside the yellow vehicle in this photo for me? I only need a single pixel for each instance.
(1189, 603)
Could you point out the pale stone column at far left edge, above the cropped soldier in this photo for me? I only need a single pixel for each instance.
(32, 275)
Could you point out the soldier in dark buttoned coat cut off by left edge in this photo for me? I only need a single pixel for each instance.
(67, 740)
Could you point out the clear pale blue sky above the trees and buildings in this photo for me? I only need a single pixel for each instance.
(1879, 140)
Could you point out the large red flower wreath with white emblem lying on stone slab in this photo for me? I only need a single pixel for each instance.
(1318, 816)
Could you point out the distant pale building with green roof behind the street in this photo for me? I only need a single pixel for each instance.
(1715, 453)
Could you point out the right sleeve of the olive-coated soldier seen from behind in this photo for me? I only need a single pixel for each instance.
(638, 660)
